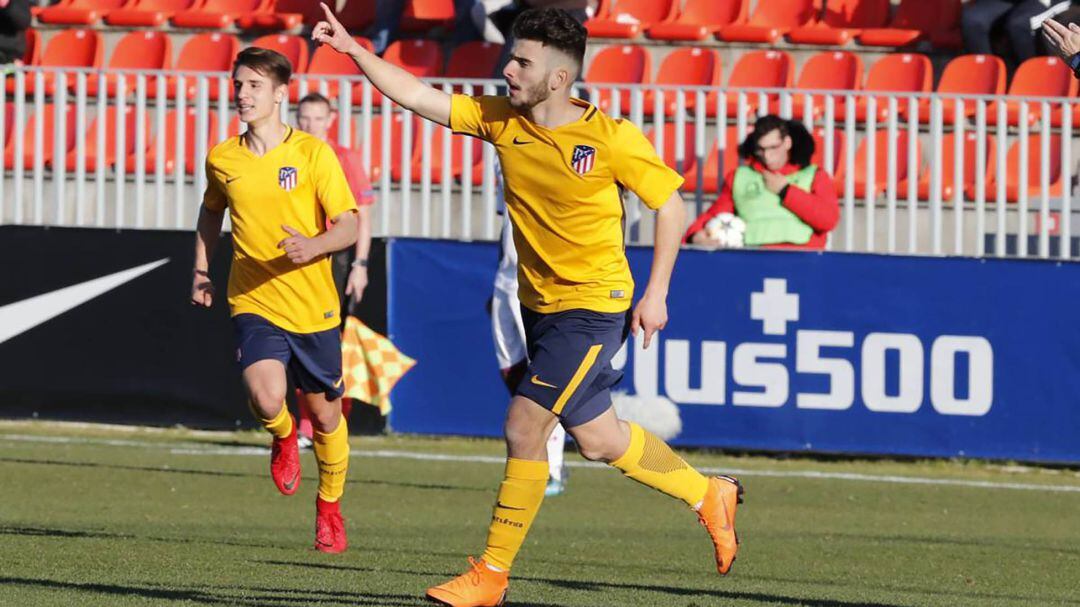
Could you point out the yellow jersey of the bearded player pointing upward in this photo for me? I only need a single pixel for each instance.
(562, 191)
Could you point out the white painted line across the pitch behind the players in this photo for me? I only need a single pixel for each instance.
(204, 450)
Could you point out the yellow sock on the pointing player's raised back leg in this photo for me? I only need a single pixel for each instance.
(651, 462)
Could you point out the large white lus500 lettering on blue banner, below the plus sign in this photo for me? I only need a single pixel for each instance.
(764, 369)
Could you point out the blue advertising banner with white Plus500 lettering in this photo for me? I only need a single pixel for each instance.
(788, 352)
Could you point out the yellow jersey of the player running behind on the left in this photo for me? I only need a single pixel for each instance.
(298, 184)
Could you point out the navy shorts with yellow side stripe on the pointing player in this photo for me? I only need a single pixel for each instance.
(571, 353)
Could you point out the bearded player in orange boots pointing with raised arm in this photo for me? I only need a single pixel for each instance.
(563, 165)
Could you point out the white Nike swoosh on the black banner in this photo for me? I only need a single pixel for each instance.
(29, 314)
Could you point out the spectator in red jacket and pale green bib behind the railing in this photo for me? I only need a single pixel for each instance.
(784, 199)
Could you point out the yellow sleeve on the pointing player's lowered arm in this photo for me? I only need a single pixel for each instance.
(636, 166)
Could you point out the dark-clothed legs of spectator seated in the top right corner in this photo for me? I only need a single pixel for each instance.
(980, 18)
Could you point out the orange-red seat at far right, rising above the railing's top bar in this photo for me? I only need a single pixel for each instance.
(1038, 77)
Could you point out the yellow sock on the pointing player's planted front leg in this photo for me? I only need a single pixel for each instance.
(519, 502)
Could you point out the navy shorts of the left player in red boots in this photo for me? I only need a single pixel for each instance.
(314, 359)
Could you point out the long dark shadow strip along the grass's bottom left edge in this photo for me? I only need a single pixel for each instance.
(221, 596)
